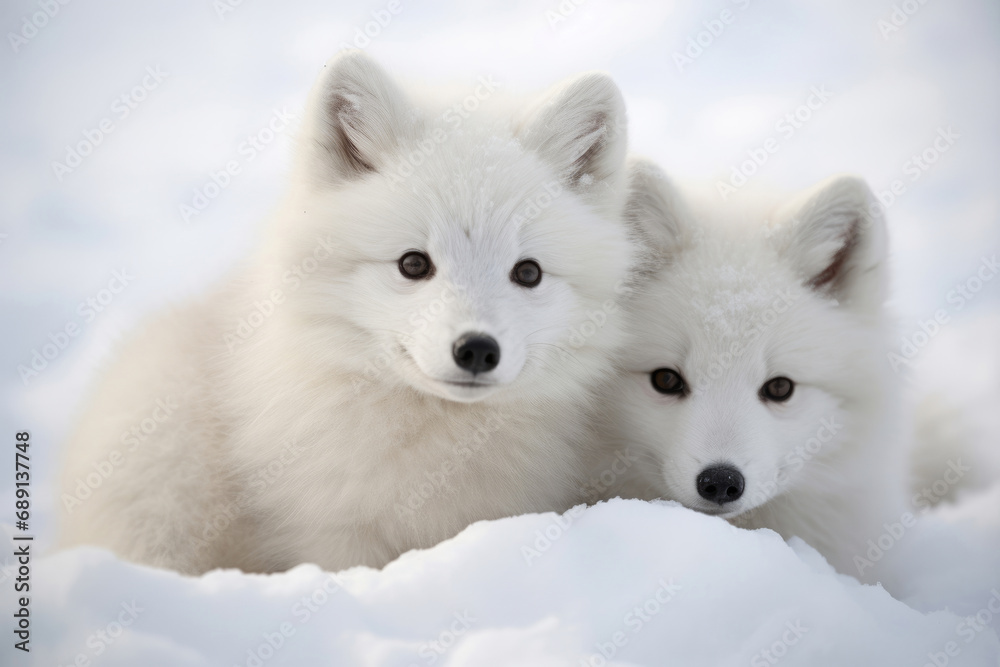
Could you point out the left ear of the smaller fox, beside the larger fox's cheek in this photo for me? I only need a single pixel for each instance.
(655, 212)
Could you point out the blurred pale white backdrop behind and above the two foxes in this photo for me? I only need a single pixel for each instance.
(226, 73)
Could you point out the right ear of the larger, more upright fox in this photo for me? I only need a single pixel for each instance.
(580, 129)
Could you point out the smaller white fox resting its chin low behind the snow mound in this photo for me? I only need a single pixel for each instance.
(755, 386)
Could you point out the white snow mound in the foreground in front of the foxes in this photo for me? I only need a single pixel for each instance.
(620, 583)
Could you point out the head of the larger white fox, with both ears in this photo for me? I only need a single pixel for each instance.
(464, 241)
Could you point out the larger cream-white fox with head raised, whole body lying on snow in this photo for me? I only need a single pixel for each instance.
(396, 361)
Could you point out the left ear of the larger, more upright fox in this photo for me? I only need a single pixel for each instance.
(356, 117)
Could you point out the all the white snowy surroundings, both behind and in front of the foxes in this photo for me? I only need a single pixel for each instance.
(222, 77)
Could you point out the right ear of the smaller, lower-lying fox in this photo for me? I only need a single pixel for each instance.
(835, 238)
